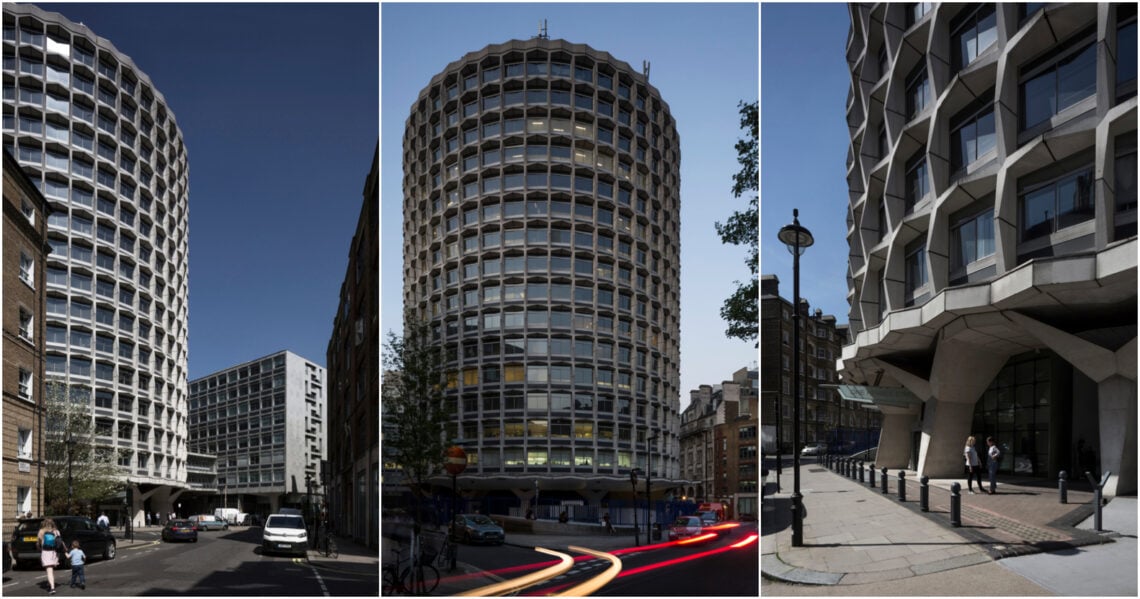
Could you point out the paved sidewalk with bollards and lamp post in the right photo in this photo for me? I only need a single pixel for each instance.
(854, 535)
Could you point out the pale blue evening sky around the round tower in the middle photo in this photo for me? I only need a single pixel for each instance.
(704, 61)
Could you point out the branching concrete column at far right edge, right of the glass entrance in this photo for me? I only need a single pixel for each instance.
(1115, 374)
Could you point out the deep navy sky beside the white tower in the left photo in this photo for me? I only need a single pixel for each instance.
(279, 111)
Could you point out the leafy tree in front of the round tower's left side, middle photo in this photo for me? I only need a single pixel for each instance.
(413, 406)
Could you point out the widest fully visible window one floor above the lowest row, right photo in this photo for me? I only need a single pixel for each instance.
(1068, 78)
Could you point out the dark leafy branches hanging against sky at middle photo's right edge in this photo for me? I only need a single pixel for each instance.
(743, 310)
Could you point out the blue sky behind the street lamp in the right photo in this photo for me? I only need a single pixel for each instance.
(804, 140)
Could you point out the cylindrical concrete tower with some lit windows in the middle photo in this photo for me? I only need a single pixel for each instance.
(542, 241)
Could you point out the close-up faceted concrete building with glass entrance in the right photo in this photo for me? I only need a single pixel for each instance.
(992, 232)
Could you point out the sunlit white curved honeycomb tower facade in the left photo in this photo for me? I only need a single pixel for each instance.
(92, 131)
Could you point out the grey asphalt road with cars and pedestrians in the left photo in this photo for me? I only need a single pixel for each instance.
(223, 563)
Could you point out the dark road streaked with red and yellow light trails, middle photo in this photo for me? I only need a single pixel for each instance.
(707, 569)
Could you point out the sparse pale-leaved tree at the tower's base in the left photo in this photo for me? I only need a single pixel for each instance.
(95, 473)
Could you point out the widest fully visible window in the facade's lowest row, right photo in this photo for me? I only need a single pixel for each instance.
(1056, 205)
